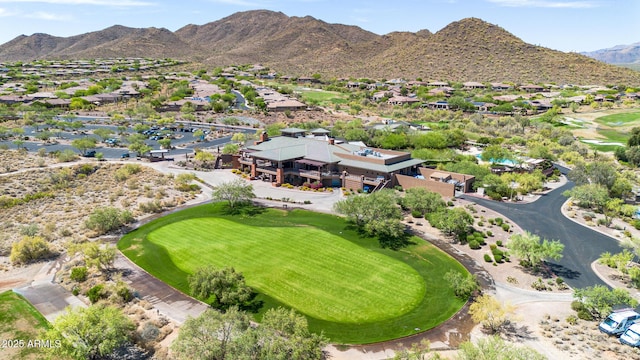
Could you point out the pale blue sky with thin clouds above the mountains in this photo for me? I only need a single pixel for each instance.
(566, 25)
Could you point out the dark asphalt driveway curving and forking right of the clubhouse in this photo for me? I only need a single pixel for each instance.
(545, 219)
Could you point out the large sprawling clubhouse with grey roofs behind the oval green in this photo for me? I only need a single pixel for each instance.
(296, 160)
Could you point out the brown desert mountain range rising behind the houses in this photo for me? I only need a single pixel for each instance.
(466, 50)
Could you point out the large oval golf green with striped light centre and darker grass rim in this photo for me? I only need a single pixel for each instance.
(346, 285)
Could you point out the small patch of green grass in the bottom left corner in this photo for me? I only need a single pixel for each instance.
(19, 320)
